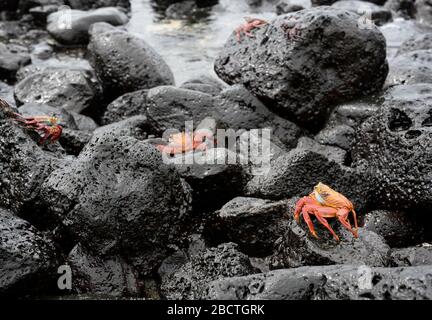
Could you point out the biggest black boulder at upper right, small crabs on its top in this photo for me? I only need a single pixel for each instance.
(287, 73)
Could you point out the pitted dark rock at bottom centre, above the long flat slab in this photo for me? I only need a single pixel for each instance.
(190, 280)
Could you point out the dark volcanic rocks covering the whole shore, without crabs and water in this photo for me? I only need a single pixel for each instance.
(346, 104)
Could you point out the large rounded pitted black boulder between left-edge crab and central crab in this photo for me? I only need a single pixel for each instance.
(118, 198)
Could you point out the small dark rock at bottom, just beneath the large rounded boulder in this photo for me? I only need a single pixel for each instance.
(112, 277)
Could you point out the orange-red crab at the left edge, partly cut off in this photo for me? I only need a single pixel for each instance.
(47, 126)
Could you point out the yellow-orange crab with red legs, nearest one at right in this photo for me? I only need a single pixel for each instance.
(324, 202)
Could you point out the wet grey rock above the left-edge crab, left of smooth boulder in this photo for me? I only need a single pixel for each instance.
(72, 90)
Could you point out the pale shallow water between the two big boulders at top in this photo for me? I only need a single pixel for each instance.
(190, 48)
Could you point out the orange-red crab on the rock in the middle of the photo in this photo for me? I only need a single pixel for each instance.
(186, 141)
